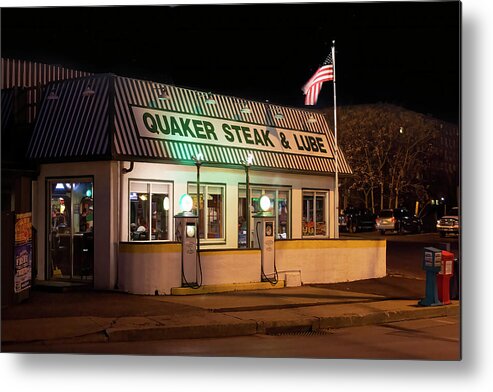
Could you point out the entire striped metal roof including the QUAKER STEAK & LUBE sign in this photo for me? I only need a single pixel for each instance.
(130, 119)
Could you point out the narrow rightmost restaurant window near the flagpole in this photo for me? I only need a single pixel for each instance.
(315, 214)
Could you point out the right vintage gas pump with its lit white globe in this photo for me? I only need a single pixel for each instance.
(264, 224)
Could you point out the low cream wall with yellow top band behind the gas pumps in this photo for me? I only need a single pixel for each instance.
(145, 269)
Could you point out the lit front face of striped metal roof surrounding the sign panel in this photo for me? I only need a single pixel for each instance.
(127, 142)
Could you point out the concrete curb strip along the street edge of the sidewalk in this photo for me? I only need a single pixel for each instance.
(210, 325)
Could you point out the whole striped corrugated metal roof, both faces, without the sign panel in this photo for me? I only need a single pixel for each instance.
(78, 127)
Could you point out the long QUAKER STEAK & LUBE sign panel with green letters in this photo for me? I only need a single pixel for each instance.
(163, 124)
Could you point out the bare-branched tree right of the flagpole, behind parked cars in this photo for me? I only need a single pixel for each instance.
(392, 152)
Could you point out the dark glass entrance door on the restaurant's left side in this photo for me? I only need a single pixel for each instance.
(71, 224)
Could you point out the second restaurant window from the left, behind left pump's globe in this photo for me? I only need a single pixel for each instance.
(211, 210)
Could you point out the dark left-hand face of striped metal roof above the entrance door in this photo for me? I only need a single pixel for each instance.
(74, 126)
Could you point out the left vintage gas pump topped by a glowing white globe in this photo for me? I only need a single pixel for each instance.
(186, 233)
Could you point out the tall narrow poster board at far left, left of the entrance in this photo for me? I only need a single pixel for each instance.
(23, 252)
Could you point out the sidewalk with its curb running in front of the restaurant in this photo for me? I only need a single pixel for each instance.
(95, 316)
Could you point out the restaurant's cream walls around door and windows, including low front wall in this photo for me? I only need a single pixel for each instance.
(145, 268)
